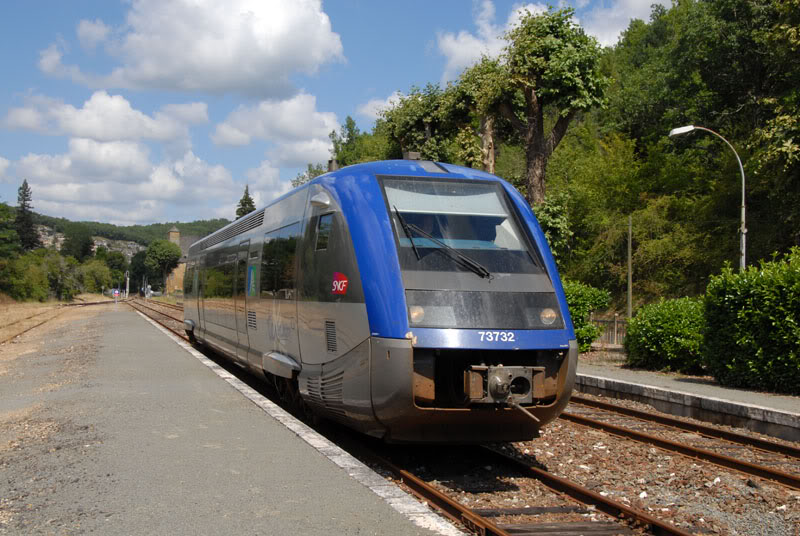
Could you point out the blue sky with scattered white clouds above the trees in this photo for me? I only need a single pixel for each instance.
(144, 111)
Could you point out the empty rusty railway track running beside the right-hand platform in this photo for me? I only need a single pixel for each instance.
(772, 461)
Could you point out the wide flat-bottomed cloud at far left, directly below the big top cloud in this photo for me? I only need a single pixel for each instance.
(106, 117)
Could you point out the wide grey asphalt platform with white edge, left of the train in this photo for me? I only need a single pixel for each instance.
(166, 442)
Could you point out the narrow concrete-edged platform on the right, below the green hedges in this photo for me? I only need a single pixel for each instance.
(766, 413)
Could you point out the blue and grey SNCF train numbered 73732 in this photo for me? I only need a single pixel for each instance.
(411, 300)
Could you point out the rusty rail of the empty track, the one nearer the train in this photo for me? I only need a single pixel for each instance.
(742, 466)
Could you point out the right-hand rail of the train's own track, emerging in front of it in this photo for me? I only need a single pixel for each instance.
(589, 497)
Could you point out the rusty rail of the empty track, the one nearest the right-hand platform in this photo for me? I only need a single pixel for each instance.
(702, 429)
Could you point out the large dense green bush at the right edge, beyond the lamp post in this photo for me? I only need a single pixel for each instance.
(752, 334)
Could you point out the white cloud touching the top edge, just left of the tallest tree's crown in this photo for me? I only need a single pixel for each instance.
(464, 48)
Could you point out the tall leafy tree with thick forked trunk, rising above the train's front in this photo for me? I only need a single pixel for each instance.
(555, 65)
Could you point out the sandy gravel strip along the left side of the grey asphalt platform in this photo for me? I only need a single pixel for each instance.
(40, 450)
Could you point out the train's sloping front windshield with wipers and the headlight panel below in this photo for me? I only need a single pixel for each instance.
(466, 262)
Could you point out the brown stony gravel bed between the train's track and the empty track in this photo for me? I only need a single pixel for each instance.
(692, 494)
